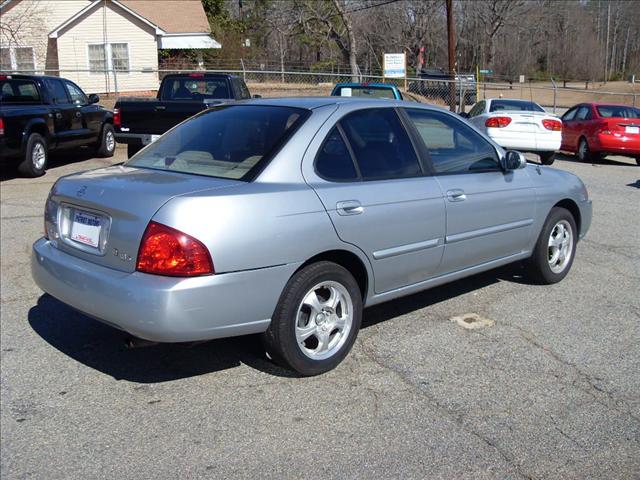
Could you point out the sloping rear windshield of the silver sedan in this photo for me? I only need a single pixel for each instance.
(229, 141)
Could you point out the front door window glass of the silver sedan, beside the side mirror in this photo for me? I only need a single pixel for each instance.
(454, 147)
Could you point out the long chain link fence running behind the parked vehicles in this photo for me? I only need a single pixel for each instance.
(464, 90)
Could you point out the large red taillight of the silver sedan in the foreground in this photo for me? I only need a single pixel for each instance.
(167, 251)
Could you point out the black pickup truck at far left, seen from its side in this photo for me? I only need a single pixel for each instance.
(40, 114)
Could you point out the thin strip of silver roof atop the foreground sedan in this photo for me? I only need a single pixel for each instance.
(310, 103)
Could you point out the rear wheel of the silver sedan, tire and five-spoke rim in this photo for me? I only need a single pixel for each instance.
(317, 319)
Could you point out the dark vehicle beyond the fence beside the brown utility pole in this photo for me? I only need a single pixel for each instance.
(434, 84)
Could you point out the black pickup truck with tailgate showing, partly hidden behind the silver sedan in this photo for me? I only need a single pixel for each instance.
(140, 121)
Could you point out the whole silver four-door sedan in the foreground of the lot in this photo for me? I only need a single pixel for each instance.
(287, 216)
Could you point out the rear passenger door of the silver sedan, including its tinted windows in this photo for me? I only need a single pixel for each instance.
(372, 184)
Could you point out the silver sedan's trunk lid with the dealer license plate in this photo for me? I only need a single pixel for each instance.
(103, 214)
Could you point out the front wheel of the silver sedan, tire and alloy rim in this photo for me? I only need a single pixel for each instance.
(555, 249)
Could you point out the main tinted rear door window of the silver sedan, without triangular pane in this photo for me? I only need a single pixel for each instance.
(380, 144)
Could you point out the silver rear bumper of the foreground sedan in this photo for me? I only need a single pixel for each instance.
(162, 309)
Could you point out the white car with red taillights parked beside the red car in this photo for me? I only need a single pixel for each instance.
(518, 125)
